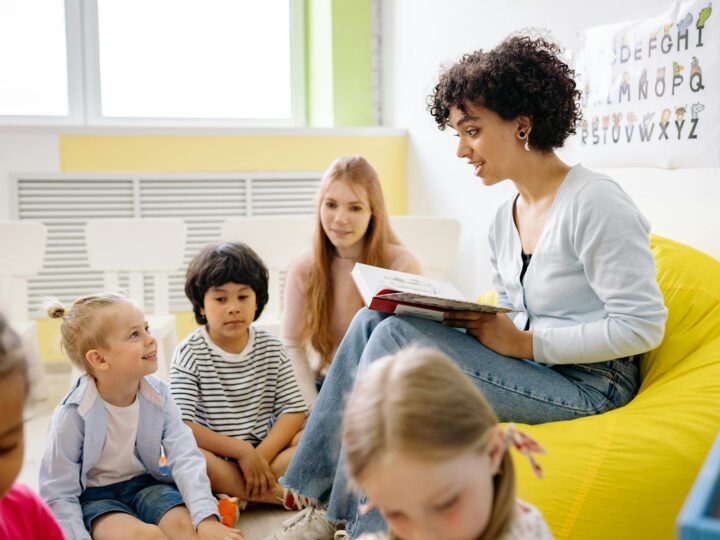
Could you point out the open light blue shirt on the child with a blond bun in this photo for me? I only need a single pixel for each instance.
(76, 436)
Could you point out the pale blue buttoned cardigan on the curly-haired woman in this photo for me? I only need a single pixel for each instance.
(590, 291)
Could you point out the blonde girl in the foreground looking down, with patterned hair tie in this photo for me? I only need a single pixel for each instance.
(425, 446)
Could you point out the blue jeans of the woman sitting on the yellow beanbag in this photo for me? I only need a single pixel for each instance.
(519, 390)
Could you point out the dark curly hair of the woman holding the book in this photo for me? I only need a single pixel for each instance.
(522, 76)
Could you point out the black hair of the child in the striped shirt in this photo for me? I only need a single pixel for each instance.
(221, 263)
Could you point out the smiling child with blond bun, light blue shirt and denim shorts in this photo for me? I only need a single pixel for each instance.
(101, 471)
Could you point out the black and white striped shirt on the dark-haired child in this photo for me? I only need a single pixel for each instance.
(235, 395)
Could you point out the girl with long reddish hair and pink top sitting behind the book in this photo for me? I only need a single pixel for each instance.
(352, 226)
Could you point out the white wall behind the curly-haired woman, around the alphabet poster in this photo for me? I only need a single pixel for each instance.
(419, 36)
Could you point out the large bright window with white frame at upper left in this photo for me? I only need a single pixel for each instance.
(152, 62)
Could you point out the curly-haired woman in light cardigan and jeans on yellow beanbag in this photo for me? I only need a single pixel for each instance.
(570, 254)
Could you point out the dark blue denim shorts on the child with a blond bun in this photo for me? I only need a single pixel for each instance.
(142, 496)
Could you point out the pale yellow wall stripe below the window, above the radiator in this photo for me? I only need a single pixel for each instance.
(190, 153)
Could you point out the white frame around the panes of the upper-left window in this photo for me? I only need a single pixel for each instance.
(84, 101)
